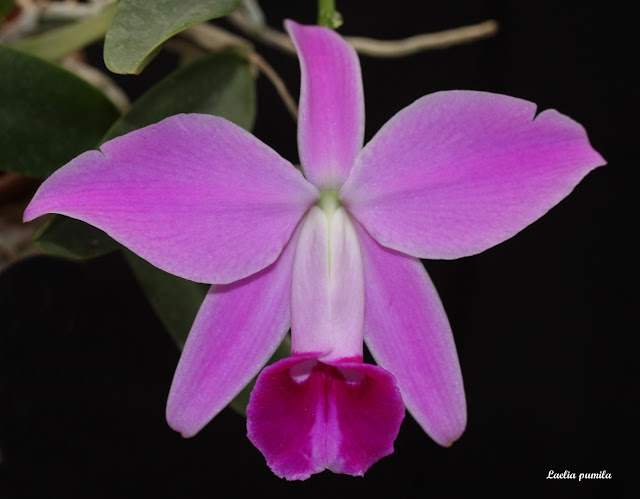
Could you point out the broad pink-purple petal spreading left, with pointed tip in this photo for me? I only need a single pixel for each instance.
(194, 195)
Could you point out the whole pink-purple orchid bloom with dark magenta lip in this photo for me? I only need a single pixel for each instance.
(335, 255)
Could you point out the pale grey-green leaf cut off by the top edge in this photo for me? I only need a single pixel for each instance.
(141, 26)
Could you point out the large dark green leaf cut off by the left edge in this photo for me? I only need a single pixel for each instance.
(48, 115)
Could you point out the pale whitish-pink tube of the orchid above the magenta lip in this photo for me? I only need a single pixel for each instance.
(327, 297)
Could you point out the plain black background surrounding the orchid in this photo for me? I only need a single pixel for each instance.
(544, 323)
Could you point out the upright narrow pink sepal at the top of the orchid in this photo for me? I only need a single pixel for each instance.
(331, 120)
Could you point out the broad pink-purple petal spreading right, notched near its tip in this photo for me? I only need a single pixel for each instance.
(457, 172)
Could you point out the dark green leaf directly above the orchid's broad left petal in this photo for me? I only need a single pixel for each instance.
(220, 83)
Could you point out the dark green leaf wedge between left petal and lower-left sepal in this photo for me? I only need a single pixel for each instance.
(175, 300)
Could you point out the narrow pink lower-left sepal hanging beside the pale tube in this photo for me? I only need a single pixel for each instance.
(237, 329)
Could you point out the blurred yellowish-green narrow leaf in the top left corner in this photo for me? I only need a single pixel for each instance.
(60, 42)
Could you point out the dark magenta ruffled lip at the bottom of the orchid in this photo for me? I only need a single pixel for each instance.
(342, 417)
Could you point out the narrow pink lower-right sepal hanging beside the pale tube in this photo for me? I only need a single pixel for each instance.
(407, 332)
